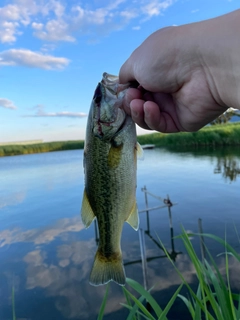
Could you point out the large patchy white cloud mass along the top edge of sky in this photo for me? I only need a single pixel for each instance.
(56, 20)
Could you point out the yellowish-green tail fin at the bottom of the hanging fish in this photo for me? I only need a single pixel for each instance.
(106, 269)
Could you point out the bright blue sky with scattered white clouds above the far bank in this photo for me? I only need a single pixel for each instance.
(53, 53)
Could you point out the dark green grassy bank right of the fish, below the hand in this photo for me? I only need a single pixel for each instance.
(217, 135)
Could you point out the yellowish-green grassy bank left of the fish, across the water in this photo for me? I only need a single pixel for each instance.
(11, 150)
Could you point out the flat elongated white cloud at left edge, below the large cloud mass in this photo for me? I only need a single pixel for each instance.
(31, 59)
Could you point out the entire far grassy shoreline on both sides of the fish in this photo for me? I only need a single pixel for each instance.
(214, 135)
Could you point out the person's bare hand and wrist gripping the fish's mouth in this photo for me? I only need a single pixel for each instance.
(182, 70)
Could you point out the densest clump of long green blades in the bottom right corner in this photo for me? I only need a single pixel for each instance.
(214, 297)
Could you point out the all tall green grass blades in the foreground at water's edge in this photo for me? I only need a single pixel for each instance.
(212, 300)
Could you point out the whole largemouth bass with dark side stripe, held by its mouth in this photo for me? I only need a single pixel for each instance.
(110, 163)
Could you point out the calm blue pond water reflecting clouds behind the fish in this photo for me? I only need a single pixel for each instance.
(46, 254)
